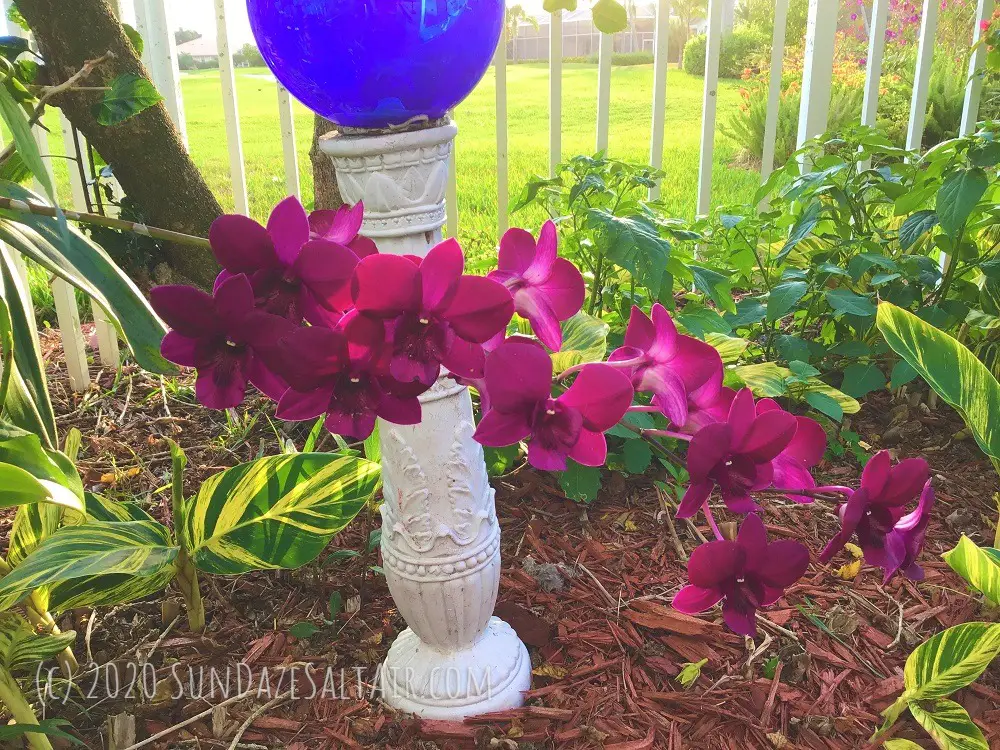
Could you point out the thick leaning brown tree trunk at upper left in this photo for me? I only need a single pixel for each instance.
(145, 151)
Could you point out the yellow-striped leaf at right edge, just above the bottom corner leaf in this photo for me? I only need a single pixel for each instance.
(950, 660)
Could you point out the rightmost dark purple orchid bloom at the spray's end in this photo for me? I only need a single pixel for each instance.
(872, 512)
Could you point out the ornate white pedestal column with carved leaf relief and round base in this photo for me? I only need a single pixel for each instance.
(440, 536)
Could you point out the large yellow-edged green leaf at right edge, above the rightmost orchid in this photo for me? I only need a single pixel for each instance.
(954, 372)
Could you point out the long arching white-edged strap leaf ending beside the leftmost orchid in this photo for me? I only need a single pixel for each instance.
(72, 256)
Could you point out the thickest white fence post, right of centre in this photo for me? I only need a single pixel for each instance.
(817, 72)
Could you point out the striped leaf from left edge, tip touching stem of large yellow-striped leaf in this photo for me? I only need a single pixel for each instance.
(137, 548)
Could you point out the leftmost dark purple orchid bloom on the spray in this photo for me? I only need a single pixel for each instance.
(217, 336)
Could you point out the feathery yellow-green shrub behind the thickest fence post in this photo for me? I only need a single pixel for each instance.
(746, 127)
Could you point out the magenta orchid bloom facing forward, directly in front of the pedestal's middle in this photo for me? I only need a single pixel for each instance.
(434, 314)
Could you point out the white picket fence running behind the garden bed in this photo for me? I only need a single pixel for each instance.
(154, 23)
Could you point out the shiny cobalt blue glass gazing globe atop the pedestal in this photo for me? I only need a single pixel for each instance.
(375, 63)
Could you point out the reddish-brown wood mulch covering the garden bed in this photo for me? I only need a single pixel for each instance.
(605, 649)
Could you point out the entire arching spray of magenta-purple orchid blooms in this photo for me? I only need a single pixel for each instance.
(312, 315)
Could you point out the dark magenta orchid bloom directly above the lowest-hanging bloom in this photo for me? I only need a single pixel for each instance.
(737, 455)
